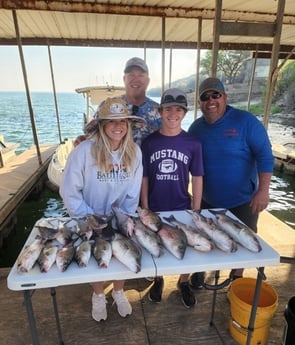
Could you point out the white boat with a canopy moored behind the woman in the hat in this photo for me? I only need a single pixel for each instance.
(93, 95)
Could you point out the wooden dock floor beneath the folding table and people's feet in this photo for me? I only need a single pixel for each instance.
(150, 324)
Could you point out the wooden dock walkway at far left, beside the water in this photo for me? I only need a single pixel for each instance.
(18, 178)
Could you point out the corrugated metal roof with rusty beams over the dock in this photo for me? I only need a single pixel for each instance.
(141, 23)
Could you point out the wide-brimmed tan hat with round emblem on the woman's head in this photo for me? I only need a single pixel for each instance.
(115, 109)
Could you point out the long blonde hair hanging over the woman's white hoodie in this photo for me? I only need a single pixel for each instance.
(102, 152)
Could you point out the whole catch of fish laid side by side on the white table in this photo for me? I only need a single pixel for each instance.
(61, 242)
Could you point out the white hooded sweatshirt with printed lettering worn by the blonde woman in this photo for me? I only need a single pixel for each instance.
(86, 190)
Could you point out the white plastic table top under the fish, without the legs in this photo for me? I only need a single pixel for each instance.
(167, 264)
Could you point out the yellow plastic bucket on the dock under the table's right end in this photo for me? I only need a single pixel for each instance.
(241, 295)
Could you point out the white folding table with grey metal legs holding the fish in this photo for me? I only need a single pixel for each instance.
(167, 264)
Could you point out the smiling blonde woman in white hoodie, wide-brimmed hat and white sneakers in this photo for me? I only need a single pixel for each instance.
(102, 170)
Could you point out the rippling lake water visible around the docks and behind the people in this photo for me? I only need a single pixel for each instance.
(15, 125)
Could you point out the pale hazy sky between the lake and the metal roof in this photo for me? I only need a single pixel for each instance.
(76, 67)
